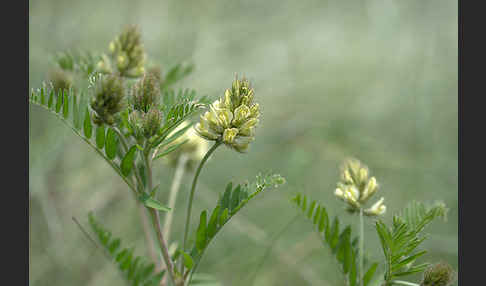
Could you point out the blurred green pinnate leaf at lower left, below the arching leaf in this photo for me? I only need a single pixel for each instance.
(136, 269)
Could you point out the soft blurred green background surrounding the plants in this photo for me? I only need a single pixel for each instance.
(376, 80)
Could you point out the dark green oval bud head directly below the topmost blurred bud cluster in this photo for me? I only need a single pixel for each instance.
(108, 99)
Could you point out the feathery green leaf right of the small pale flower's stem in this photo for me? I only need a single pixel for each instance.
(400, 241)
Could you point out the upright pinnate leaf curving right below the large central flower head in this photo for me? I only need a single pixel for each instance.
(229, 203)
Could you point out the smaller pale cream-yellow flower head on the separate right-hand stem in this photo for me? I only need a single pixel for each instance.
(355, 188)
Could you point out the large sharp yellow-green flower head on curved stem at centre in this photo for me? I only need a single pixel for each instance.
(233, 118)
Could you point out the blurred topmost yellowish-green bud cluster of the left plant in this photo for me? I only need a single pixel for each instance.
(127, 55)
